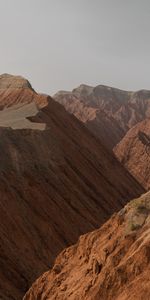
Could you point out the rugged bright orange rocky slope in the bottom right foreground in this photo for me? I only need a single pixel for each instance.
(111, 263)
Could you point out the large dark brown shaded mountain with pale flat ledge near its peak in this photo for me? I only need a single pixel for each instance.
(57, 181)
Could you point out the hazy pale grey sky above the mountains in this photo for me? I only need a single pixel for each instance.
(59, 44)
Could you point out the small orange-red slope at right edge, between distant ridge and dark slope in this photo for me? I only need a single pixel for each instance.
(134, 152)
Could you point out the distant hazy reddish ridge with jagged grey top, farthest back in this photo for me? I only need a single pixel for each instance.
(108, 112)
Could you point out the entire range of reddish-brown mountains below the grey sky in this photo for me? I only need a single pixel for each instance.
(64, 171)
